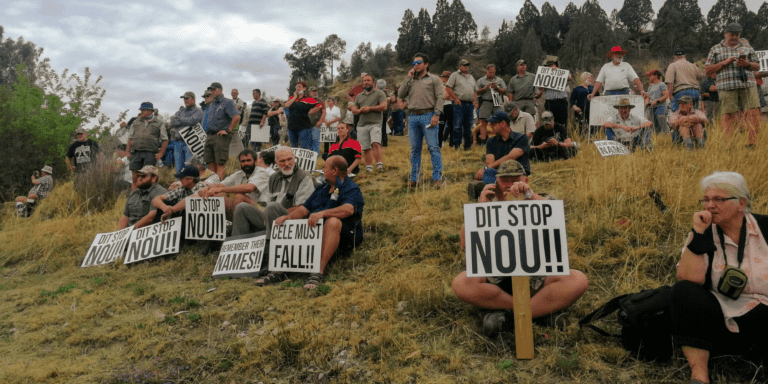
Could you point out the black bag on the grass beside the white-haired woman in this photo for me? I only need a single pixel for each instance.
(646, 325)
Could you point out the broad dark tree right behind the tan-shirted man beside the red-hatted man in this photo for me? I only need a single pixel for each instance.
(679, 23)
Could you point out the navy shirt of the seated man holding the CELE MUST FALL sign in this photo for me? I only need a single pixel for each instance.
(348, 193)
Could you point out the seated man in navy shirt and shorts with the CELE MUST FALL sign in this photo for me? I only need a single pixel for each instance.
(340, 203)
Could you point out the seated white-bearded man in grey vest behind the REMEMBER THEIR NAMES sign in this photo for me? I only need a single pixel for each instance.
(288, 189)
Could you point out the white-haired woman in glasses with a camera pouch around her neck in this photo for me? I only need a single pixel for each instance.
(720, 306)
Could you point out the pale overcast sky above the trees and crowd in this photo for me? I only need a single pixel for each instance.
(157, 50)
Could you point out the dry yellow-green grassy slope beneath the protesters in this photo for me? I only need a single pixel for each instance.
(390, 315)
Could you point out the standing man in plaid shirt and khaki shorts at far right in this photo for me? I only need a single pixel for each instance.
(733, 59)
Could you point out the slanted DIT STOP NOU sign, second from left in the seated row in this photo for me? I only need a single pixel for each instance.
(154, 241)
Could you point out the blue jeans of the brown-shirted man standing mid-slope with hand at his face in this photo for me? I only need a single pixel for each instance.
(419, 129)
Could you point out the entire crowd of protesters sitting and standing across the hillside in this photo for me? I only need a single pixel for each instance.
(270, 187)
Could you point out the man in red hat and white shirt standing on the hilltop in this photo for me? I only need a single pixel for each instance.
(617, 75)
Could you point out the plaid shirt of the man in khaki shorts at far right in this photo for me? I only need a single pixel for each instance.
(730, 77)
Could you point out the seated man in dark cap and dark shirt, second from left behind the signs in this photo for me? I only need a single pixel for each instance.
(171, 203)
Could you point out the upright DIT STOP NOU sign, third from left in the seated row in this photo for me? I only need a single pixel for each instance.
(205, 218)
